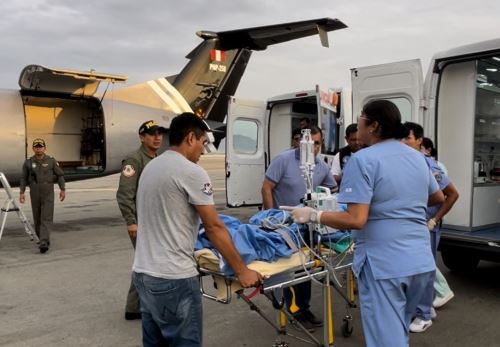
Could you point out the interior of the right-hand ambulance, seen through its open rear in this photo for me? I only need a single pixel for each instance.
(468, 139)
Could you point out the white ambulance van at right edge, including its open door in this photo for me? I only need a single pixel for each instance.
(459, 107)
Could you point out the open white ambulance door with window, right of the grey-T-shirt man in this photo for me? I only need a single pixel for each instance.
(245, 155)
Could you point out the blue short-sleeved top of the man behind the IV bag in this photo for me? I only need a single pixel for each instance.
(286, 174)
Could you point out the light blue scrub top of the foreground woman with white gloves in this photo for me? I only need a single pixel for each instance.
(396, 182)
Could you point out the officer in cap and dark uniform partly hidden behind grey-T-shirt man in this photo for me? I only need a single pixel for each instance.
(151, 136)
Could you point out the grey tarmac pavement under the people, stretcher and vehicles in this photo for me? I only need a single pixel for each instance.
(74, 295)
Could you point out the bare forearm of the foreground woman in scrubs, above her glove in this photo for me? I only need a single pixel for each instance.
(354, 218)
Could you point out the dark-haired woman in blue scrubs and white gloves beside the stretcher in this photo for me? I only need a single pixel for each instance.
(387, 188)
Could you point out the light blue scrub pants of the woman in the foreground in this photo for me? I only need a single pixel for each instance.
(387, 306)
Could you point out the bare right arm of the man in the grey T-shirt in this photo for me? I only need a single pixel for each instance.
(220, 238)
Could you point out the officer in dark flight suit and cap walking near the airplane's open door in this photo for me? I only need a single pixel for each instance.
(39, 173)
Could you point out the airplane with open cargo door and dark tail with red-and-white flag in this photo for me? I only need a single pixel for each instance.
(89, 133)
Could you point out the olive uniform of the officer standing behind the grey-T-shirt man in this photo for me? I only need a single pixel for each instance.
(132, 167)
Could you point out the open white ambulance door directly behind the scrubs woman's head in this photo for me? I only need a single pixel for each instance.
(400, 82)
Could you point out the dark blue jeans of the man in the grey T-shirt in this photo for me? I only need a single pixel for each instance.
(171, 311)
